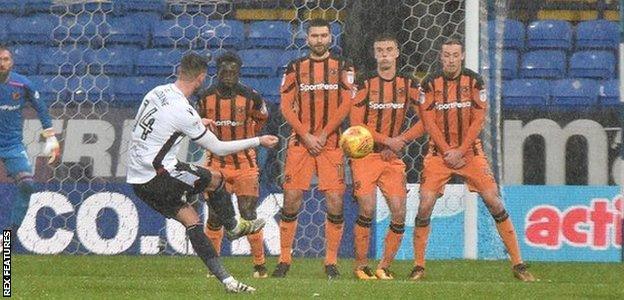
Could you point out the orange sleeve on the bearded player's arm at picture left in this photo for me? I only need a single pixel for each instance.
(288, 92)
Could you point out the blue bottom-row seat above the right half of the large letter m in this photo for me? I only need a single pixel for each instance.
(575, 92)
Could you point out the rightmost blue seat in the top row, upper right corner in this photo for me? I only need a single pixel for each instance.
(597, 34)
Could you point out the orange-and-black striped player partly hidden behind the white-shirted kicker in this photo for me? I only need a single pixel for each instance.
(236, 111)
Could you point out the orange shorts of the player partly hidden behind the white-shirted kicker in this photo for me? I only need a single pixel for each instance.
(242, 182)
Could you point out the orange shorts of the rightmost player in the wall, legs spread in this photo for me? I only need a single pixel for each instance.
(476, 173)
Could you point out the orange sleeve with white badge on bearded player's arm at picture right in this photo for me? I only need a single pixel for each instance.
(346, 94)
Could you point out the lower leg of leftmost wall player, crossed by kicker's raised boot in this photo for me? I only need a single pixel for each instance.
(247, 208)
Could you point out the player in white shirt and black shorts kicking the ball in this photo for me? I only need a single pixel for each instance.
(160, 180)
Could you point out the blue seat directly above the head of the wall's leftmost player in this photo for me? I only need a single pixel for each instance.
(226, 34)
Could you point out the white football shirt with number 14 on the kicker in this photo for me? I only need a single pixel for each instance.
(164, 118)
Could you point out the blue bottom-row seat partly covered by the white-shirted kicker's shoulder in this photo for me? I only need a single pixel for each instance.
(130, 91)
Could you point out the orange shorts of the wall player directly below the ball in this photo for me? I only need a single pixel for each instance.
(371, 171)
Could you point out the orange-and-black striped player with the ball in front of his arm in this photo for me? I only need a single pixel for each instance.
(381, 104)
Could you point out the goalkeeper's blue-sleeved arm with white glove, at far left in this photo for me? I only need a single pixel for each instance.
(52, 147)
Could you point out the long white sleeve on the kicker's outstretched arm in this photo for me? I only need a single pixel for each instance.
(191, 125)
